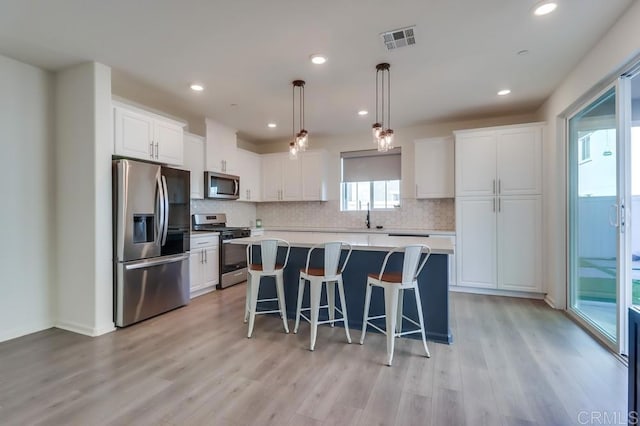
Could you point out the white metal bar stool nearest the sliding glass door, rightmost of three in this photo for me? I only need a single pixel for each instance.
(394, 284)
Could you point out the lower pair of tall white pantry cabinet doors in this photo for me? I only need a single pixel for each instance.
(498, 242)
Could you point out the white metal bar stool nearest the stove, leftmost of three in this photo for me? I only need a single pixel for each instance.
(267, 268)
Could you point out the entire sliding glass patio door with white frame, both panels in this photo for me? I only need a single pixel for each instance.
(604, 210)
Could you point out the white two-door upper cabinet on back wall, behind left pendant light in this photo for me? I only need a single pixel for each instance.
(281, 178)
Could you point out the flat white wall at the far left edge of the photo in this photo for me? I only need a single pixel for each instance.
(27, 212)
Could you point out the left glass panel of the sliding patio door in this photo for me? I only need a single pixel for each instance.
(594, 194)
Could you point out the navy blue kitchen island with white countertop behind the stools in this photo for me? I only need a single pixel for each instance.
(367, 257)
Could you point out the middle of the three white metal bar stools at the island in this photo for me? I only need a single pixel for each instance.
(329, 275)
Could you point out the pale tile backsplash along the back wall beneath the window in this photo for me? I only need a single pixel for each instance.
(437, 214)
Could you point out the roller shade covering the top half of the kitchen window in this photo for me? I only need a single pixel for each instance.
(371, 165)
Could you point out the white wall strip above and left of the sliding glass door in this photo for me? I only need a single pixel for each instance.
(620, 45)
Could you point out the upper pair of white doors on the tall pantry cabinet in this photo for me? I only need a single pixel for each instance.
(499, 161)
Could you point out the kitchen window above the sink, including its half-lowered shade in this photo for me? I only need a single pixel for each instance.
(370, 180)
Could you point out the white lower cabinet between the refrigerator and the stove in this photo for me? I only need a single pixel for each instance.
(204, 264)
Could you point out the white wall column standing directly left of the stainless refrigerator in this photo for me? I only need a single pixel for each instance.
(83, 191)
